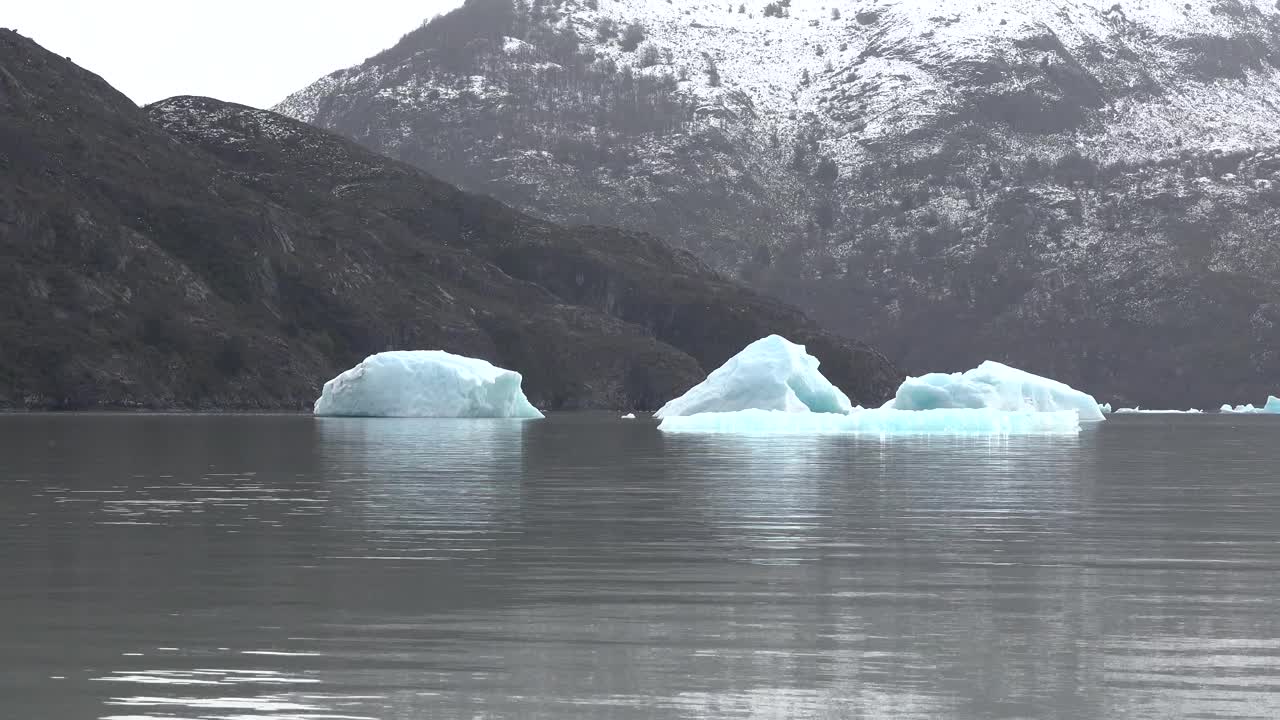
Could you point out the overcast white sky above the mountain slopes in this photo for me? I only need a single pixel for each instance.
(250, 52)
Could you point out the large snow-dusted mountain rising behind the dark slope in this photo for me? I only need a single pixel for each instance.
(1081, 188)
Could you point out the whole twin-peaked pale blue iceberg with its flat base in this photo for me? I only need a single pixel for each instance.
(774, 388)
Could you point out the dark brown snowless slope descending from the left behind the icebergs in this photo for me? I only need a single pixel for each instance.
(200, 254)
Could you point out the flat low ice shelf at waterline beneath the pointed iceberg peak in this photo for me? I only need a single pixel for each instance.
(884, 422)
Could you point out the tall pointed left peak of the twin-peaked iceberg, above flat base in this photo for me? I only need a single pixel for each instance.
(770, 375)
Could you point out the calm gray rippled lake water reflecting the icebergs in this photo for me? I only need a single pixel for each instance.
(589, 568)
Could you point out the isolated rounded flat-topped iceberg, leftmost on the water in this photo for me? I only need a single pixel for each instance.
(426, 384)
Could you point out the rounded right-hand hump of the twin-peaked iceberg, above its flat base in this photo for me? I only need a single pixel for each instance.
(996, 388)
